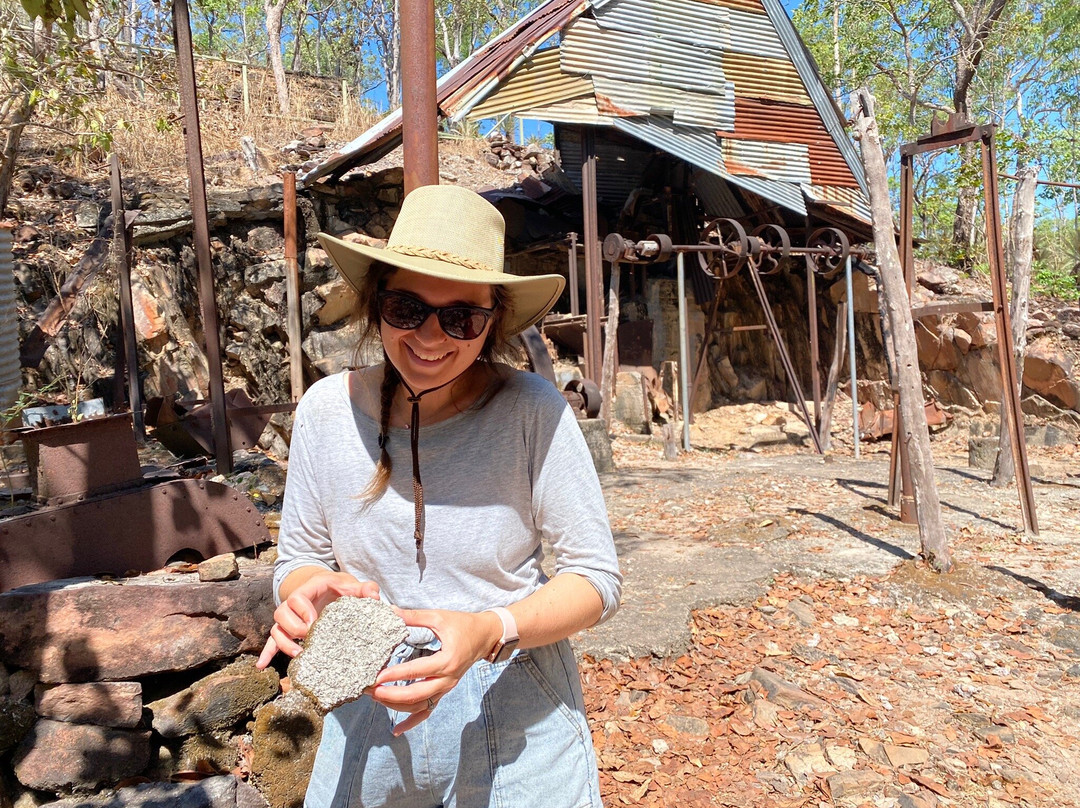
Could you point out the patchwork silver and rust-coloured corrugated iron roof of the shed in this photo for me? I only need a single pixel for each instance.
(726, 86)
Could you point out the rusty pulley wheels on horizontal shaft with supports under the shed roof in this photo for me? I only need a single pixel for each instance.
(725, 249)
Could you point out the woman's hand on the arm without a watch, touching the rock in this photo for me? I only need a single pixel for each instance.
(305, 602)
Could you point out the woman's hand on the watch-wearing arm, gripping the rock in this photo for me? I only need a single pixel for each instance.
(466, 638)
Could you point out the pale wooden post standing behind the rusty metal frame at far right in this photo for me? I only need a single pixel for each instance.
(1021, 249)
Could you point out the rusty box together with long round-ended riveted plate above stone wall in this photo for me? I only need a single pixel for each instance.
(99, 514)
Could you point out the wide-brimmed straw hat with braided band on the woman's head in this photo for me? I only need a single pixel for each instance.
(454, 234)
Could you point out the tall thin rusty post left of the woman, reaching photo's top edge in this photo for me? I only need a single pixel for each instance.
(193, 140)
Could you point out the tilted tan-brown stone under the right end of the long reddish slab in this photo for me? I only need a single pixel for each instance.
(217, 702)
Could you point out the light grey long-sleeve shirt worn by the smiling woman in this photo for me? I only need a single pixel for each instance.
(496, 481)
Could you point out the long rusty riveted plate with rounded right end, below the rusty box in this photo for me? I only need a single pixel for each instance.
(133, 531)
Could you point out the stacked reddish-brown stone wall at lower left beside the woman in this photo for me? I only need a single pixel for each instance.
(105, 683)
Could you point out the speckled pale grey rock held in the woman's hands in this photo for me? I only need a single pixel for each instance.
(345, 651)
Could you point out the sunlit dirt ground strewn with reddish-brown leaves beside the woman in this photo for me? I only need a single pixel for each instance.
(779, 647)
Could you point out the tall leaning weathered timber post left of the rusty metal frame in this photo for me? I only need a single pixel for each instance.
(916, 435)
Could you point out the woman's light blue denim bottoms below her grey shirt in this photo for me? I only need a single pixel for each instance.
(510, 735)
